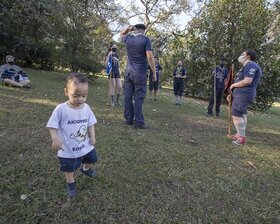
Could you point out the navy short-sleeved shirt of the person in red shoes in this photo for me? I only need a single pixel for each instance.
(252, 70)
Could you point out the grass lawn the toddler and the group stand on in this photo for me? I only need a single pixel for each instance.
(182, 170)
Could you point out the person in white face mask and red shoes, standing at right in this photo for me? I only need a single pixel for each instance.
(244, 91)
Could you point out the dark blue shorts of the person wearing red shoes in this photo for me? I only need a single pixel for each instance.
(240, 105)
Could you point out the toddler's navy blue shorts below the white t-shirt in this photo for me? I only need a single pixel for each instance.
(72, 164)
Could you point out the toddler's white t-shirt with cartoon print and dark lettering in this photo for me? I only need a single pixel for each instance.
(72, 125)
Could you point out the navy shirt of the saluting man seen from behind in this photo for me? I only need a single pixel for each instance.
(136, 46)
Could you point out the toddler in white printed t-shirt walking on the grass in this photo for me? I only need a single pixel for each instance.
(71, 126)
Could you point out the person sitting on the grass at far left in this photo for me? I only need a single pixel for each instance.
(12, 75)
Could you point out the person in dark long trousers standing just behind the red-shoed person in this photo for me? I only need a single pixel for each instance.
(221, 74)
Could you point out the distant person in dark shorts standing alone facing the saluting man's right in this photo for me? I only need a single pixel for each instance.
(179, 76)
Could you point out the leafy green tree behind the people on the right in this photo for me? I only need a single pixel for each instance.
(226, 28)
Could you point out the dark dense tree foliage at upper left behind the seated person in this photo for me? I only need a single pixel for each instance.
(56, 33)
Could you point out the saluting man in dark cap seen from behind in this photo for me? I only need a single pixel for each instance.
(139, 54)
